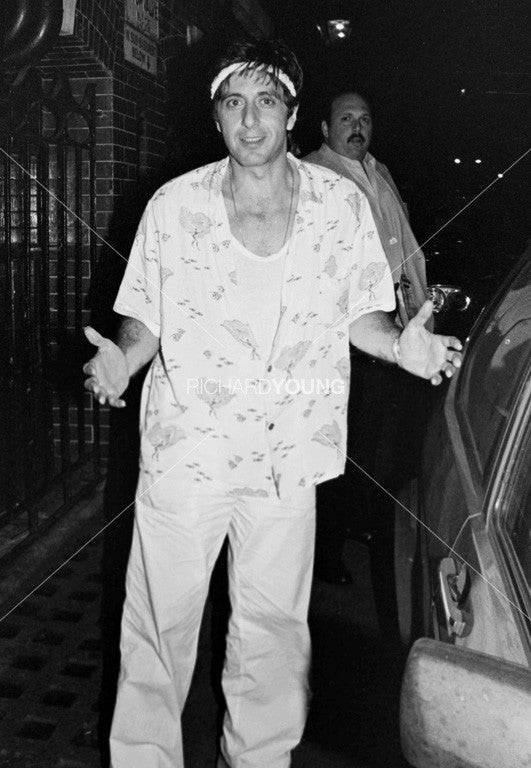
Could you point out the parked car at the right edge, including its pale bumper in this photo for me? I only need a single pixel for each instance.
(463, 554)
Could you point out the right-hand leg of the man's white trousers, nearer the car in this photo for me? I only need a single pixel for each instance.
(265, 678)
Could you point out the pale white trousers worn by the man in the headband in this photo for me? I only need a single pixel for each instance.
(265, 677)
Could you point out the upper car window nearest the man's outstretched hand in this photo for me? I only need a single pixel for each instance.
(494, 370)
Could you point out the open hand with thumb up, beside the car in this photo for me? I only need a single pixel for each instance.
(426, 354)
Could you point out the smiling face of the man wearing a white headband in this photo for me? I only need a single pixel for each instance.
(253, 118)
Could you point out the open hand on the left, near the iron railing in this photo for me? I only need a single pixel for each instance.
(107, 370)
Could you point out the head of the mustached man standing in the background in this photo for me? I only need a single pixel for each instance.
(350, 130)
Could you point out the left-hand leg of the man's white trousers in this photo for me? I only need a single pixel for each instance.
(171, 560)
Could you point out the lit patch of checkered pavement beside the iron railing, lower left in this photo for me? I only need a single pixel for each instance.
(50, 652)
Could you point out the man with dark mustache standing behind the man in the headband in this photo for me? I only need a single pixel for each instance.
(384, 427)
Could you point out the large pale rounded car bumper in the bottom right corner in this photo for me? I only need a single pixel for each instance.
(462, 709)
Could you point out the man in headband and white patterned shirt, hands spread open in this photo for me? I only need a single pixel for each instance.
(245, 282)
